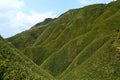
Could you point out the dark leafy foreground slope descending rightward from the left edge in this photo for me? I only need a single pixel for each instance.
(15, 66)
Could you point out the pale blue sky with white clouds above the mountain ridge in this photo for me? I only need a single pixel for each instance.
(19, 15)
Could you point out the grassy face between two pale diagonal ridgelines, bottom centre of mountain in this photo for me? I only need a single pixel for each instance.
(61, 59)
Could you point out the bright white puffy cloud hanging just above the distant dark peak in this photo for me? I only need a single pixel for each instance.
(25, 21)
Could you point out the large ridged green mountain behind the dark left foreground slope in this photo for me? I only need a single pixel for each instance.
(81, 44)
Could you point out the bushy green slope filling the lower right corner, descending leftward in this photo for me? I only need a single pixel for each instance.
(104, 64)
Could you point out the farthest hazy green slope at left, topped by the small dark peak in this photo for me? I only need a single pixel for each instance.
(28, 37)
